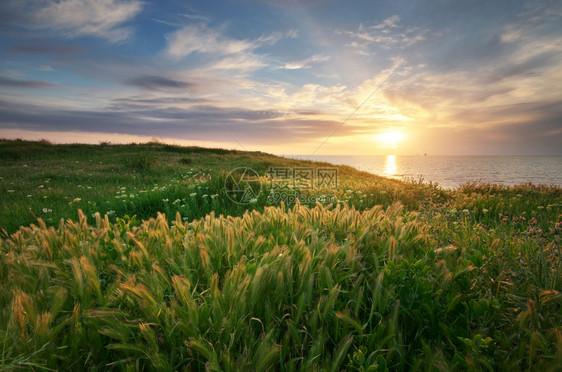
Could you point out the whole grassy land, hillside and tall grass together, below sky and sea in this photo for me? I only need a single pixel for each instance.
(394, 276)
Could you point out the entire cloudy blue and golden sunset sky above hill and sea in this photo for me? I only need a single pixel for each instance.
(307, 77)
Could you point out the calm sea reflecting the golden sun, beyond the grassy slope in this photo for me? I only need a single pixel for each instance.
(451, 171)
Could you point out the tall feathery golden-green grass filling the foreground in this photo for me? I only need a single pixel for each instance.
(299, 288)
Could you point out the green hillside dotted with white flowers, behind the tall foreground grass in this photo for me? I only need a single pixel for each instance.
(38, 179)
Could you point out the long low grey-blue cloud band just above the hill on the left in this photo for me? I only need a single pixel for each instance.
(250, 126)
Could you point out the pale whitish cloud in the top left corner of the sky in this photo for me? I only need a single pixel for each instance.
(75, 18)
